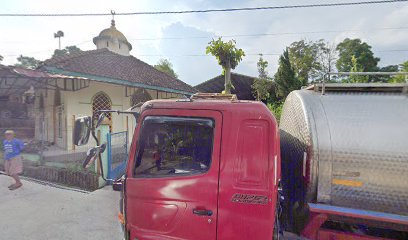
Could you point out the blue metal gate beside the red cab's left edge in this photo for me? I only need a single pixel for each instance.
(117, 154)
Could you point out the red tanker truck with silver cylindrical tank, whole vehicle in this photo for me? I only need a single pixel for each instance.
(210, 168)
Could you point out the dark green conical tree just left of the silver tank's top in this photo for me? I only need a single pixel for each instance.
(285, 77)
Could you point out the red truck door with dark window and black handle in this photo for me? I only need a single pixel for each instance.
(172, 184)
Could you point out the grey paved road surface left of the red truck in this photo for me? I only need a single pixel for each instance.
(42, 212)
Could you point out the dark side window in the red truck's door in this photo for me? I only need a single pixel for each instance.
(170, 146)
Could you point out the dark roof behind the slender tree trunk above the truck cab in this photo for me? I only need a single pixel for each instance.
(242, 86)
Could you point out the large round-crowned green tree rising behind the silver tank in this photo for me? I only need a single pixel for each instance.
(362, 53)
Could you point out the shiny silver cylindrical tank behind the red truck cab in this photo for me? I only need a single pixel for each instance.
(345, 153)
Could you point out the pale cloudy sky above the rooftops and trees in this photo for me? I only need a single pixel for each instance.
(182, 38)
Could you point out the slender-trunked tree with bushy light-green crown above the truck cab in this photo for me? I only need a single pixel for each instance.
(228, 56)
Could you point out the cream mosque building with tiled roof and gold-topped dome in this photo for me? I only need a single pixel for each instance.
(106, 78)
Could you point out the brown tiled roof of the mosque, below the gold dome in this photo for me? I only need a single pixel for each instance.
(107, 64)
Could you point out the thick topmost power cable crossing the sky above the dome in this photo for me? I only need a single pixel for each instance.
(200, 11)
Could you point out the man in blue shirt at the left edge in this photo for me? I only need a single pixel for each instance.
(12, 159)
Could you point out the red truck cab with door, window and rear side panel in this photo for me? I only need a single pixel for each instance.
(202, 169)
